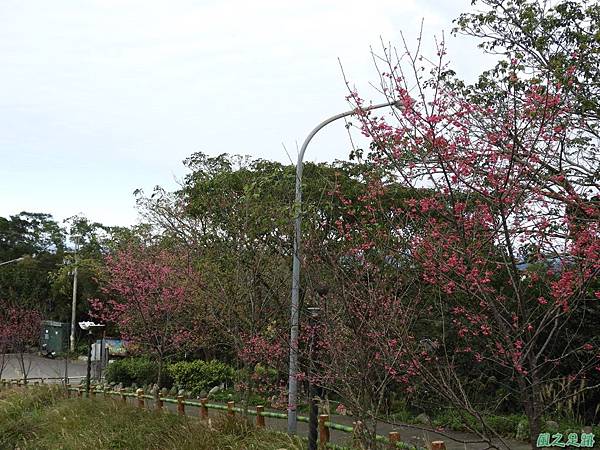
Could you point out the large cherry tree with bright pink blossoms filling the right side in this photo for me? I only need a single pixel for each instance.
(509, 243)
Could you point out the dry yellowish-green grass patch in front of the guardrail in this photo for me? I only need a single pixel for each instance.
(42, 418)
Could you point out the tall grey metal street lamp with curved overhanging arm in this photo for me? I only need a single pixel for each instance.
(295, 302)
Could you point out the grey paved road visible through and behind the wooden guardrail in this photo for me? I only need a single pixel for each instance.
(408, 434)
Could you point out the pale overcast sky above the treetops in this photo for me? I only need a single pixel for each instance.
(100, 97)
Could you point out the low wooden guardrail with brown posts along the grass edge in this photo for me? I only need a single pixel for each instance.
(325, 425)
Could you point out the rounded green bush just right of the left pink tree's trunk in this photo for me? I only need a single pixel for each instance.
(198, 376)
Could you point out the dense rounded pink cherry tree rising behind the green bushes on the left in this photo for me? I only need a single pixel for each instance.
(150, 297)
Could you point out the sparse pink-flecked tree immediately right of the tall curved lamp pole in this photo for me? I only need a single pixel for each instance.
(358, 344)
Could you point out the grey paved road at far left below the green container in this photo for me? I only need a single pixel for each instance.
(39, 367)
